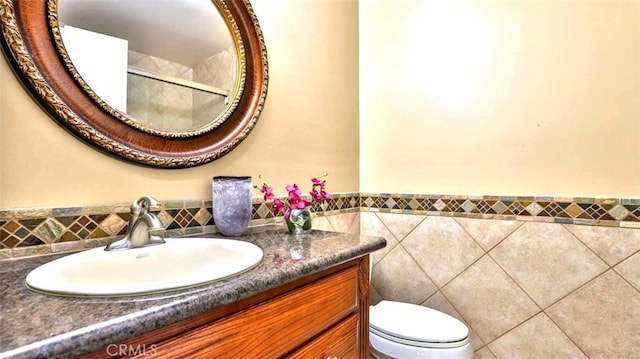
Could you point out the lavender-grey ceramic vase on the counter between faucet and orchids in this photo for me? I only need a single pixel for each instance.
(232, 204)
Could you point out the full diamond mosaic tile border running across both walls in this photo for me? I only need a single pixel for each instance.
(32, 231)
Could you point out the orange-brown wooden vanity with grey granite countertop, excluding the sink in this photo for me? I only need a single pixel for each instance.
(307, 298)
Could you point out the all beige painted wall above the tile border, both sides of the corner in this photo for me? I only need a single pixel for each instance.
(484, 97)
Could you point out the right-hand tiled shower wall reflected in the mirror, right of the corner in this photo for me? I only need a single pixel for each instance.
(219, 71)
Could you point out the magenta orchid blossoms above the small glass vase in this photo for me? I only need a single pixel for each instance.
(294, 199)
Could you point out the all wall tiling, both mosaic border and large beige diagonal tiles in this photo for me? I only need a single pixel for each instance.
(533, 277)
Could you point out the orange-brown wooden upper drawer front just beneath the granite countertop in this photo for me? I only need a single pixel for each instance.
(273, 328)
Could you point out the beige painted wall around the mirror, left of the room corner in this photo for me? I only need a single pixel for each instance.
(309, 124)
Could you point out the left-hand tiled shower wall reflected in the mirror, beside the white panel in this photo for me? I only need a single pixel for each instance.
(155, 103)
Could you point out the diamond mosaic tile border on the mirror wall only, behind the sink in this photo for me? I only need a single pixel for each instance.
(31, 231)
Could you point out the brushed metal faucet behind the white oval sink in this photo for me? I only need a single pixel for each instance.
(144, 227)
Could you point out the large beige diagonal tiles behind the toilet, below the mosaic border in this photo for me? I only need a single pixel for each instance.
(526, 289)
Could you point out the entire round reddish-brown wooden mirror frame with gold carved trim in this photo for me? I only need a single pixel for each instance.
(44, 78)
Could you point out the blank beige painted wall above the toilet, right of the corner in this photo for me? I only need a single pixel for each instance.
(500, 97)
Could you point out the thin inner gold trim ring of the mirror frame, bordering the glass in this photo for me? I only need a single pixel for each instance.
(54, 23)
